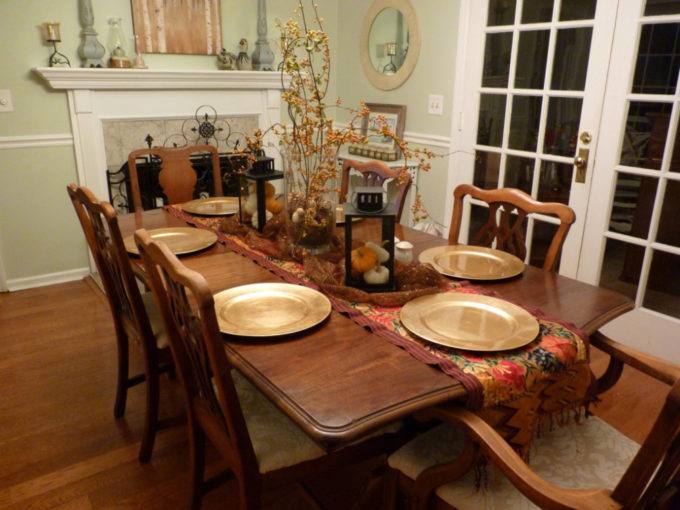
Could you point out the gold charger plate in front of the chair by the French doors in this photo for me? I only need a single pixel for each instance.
(473, 262)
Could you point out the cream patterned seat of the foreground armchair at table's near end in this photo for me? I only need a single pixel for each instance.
(581, 455)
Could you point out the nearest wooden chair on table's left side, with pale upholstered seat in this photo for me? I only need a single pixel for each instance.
(262, 447)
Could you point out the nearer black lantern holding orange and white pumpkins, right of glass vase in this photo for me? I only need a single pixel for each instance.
(379, 277)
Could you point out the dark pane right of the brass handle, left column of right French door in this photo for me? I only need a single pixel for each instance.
(645, 136)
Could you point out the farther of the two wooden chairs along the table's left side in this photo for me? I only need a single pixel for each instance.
(134, 315)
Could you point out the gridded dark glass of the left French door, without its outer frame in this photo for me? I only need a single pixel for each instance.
(531, 100)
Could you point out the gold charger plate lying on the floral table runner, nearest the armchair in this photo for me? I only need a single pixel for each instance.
(469, 321)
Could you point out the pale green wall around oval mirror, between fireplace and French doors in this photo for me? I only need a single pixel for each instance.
(438, 22)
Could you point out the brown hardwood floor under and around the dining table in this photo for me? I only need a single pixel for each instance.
(60, 446)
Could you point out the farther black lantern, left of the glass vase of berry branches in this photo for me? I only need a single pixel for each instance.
(257, 201)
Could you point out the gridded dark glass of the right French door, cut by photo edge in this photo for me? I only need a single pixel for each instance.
(643, 234)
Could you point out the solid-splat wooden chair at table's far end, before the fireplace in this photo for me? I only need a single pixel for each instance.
(177, 177)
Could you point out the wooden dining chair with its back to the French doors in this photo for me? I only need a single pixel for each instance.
(514, 206)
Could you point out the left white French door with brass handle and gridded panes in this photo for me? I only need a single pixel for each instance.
(535, 74)
